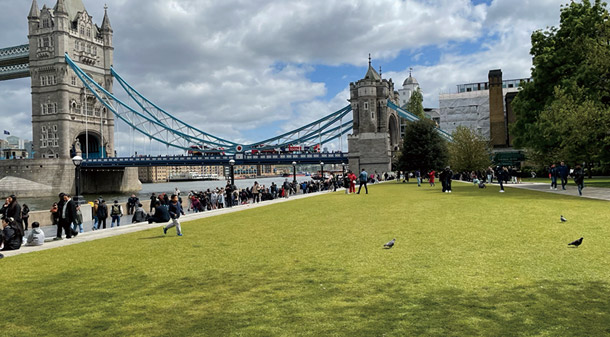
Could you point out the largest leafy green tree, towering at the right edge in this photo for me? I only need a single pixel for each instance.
(571, 69)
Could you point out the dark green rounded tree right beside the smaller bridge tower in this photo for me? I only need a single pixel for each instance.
(423, 147)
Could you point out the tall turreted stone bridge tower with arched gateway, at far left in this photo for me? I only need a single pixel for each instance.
(67, 119)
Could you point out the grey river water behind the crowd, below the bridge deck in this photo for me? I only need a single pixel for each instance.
(44, 203)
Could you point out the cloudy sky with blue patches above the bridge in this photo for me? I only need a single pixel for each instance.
(247, 70)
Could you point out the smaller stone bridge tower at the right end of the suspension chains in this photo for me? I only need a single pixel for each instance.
(375, 137)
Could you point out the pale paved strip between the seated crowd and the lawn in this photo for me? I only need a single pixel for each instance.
(89, 235)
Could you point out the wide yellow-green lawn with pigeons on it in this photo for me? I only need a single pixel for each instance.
(474, 262)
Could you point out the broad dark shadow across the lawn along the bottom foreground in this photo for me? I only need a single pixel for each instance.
(217, 303)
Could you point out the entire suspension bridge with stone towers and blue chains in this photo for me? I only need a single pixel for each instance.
(69, 60)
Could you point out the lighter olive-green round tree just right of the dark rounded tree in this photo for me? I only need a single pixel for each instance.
(469, 151)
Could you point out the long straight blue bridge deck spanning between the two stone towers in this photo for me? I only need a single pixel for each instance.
(240, 159)
